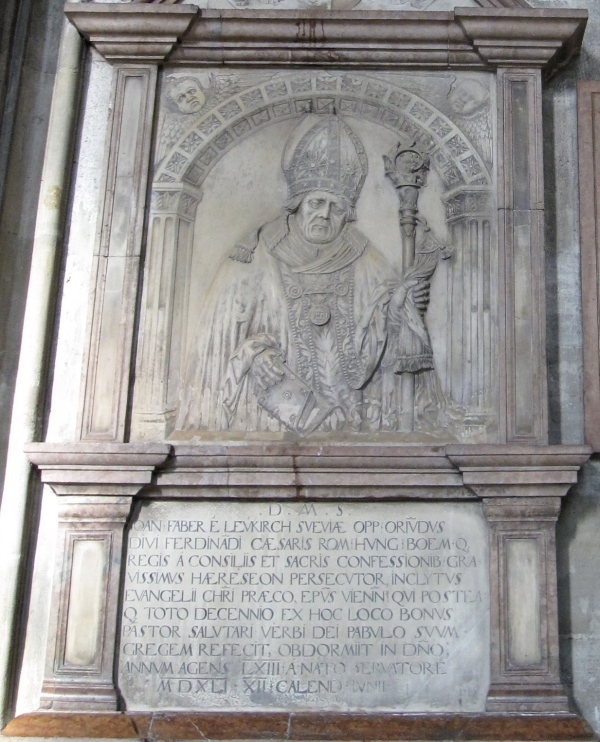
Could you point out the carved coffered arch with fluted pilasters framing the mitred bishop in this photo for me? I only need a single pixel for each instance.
(467, 181)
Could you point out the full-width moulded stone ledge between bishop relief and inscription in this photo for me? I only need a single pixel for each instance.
(293, 471)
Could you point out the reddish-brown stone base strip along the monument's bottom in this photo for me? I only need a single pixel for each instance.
(302, 726)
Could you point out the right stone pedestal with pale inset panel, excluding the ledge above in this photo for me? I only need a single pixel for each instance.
(525, 673)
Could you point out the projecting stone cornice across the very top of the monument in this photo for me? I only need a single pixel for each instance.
(477, 38)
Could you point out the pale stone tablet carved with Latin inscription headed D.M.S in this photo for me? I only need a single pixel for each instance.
(313, 605)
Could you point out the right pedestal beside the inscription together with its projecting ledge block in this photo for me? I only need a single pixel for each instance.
(522, 492)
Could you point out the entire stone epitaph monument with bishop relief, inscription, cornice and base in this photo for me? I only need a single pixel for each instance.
(312, 496)
